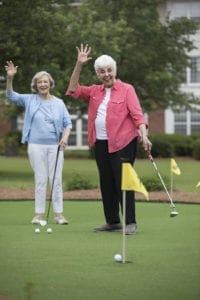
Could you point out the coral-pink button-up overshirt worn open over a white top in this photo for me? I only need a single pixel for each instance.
(124, 113)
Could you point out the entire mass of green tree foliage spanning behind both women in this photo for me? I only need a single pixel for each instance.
(42, 35)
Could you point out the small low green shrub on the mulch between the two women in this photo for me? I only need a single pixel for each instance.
(78, 182)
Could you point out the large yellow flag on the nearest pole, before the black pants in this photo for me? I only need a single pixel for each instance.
(130, 180)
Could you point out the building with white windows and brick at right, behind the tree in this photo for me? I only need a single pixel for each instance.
(182, 122)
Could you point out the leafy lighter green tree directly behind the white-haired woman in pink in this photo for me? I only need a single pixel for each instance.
(151, 55)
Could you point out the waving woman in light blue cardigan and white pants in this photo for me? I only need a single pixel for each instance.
(47, 125)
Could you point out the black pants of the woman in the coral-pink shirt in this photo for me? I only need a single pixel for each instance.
(109, 167)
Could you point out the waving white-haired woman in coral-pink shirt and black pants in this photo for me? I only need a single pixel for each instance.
(115, 122)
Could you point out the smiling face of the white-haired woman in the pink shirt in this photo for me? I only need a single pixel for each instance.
(107, 76)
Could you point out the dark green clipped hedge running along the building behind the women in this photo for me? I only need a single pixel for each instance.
(164, 145)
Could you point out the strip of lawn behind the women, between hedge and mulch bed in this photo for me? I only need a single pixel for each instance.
(16, 172)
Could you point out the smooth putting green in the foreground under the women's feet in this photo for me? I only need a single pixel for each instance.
(75, 263)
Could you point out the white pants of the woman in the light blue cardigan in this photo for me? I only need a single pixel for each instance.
(43, 159)
